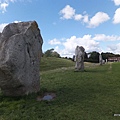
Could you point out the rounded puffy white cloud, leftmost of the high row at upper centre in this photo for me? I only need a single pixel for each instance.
(68, 12)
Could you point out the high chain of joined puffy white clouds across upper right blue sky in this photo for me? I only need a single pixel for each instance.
(69, 13)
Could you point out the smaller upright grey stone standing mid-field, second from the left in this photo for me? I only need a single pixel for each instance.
(79, 58)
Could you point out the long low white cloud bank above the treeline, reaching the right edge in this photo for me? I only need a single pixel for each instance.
(95, 43)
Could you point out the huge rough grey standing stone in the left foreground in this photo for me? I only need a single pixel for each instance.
(20, 53)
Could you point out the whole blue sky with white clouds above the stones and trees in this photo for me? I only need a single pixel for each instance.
(64, 24)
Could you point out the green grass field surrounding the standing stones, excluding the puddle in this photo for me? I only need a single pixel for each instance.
(90, 95)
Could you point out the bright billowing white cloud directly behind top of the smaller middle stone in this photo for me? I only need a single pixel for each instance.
(70, 44)
